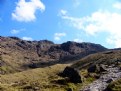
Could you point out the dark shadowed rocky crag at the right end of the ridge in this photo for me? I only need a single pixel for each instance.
(77, 48)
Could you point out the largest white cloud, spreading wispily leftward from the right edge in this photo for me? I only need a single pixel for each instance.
(97, 22)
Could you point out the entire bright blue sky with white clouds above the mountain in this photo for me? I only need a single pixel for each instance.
(95, 21)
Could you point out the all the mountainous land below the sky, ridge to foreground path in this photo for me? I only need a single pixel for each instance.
(70, 66)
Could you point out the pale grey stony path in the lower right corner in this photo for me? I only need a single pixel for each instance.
(102, 83)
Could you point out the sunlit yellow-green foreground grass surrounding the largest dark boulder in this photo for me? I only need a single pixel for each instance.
(43, 79)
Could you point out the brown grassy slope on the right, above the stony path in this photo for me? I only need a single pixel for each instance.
(107, 58)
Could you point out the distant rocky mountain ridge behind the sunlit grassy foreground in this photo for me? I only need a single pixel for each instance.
(20, 54)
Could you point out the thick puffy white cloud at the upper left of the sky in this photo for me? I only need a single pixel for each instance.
(25, 11)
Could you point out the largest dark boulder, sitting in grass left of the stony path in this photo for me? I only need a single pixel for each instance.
(73, 74)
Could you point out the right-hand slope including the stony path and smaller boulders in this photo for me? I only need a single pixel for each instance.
(103, 67)
